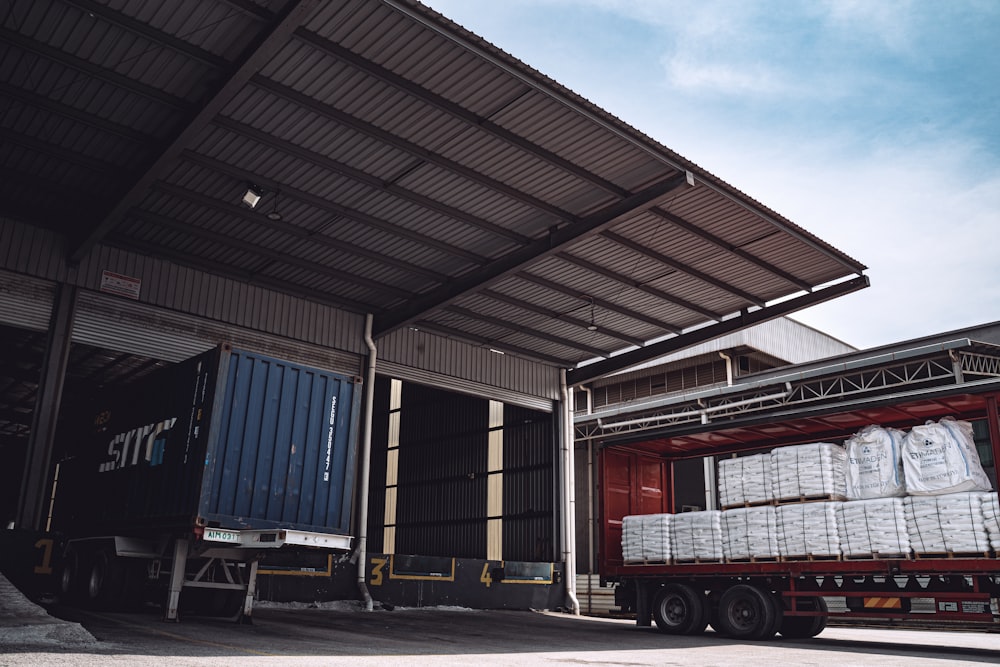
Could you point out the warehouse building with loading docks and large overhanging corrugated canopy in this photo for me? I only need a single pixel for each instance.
(367, 188)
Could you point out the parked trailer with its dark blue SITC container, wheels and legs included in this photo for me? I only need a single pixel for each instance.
(178, 484)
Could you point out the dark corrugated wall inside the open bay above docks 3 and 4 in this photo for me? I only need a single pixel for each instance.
(432, 490)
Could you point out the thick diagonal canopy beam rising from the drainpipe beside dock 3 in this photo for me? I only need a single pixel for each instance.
(536, 250)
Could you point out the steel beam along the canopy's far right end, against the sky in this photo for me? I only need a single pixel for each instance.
(626, 360)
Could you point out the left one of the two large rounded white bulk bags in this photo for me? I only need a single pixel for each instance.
(874, 466)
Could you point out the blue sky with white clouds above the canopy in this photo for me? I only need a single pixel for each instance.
(873, 124)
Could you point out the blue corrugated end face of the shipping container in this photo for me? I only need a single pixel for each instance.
(283, 447)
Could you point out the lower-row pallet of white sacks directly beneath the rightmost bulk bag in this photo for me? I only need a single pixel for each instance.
(951, 523)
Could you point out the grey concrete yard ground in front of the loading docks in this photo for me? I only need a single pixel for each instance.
(340, 634)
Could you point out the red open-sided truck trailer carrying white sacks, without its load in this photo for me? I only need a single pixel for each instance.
(757, 598)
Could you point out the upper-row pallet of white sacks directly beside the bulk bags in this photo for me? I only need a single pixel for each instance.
(808, 471)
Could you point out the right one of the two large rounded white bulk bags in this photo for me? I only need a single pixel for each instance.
(941, 458)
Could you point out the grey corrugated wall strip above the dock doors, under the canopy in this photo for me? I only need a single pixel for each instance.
(259, 318)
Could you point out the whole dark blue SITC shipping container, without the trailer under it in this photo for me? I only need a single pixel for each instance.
(229, 438)
